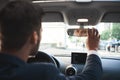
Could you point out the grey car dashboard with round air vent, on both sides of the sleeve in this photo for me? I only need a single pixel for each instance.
(111, 67)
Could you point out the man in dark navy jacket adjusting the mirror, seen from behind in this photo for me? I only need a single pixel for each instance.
(21, 33)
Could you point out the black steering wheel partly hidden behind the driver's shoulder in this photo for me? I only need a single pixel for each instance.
(42, 57)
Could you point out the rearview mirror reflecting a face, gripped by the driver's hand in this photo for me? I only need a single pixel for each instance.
(78, 32)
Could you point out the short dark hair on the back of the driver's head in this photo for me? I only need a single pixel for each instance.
(18, 19)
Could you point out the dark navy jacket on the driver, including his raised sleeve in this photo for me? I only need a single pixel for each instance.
(13, 68)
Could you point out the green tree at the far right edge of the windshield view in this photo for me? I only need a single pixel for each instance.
(116, 31)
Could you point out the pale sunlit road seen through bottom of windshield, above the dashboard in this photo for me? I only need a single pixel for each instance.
(67, 52)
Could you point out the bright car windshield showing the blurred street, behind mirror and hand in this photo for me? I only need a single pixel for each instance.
(56, 41)
